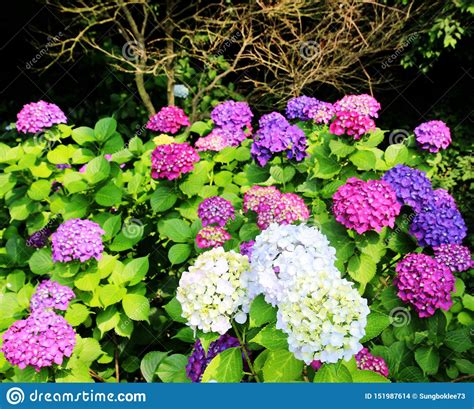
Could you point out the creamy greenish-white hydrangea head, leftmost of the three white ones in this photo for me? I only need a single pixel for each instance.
(214, 291)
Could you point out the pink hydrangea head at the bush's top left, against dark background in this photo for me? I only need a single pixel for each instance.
(39, 116)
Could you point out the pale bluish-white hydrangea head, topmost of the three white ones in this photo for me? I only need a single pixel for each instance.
(281, 253)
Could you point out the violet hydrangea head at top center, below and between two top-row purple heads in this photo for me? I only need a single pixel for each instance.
(275, 135)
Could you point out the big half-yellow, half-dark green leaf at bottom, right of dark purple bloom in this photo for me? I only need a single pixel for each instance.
(225, 367)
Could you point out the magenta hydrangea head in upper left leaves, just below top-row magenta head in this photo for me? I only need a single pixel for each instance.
(170, 161)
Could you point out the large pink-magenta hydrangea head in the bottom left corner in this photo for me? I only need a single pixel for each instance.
(41, 340)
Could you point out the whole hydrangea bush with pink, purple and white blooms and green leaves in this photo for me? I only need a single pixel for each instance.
(294, 246)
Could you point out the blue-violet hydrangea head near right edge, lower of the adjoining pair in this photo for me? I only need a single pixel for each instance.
(437, 225)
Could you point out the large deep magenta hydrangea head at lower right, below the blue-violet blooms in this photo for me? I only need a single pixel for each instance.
(424, 283)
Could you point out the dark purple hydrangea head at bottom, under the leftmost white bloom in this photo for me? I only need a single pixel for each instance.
(199, 360)
